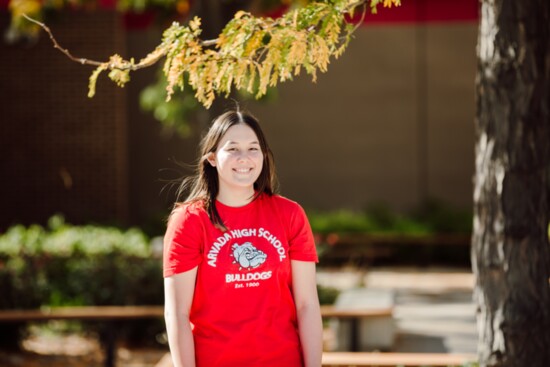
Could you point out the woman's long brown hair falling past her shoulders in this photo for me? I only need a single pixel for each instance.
(204, 184)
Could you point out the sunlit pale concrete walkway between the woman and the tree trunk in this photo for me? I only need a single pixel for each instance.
(434, 312)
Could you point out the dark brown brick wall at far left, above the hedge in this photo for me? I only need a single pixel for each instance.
(62, 152)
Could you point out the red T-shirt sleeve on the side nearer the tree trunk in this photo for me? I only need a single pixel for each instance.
(301, 242)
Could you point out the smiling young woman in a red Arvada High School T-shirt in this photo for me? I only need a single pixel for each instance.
(239, 261)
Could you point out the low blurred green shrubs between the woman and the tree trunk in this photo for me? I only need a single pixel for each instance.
(380, 236)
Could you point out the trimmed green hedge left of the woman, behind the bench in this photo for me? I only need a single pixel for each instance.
(66, 265)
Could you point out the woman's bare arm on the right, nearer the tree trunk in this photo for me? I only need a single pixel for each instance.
(310, 327)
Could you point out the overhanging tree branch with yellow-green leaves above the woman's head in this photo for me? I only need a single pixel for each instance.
(251, 51)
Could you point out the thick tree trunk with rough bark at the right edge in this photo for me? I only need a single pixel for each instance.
(510, 247)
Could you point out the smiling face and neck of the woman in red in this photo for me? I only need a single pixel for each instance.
(238, 160)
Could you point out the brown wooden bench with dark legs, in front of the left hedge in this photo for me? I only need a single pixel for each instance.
(111, 314)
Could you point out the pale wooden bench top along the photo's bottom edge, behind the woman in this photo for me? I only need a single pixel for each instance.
(364, 359)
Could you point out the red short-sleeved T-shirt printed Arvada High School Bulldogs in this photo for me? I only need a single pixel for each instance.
(243, 311)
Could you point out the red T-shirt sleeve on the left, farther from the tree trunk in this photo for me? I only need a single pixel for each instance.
(183, 242)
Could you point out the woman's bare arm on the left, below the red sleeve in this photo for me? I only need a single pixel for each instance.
(178, 295)
